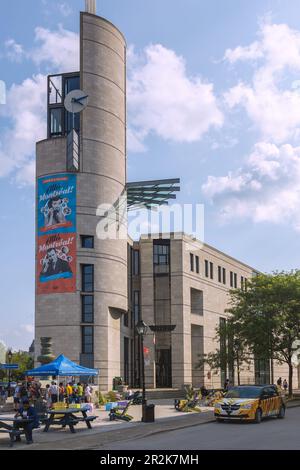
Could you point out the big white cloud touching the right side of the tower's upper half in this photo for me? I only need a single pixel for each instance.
(164, 100)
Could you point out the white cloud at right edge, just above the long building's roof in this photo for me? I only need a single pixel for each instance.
(265, 189)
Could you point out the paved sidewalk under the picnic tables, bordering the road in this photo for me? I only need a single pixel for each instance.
(105, 432)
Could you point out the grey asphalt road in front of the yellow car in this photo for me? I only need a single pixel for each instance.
(270, 434)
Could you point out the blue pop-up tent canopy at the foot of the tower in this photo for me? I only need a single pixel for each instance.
(62, 367)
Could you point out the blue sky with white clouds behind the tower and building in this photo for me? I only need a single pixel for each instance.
(213, 98)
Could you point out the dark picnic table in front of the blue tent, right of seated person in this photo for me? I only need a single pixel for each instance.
(67, 417)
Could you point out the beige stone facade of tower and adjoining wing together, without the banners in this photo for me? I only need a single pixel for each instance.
(177, 285)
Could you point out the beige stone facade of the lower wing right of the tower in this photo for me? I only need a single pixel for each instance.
(190, 294)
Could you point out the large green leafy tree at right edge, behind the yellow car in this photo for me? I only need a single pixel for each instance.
(268, 315)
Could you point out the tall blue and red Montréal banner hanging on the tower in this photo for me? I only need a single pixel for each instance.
(56, 232)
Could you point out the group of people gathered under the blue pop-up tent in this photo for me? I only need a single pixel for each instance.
(71, 393)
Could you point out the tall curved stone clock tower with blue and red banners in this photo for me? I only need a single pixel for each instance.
(80, 307)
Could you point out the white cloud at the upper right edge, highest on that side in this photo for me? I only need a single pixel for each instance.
(272, 104)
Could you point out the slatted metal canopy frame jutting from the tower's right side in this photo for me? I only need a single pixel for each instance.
(149, 194)
